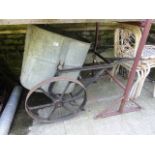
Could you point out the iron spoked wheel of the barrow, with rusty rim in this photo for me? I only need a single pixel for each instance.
(48, 106)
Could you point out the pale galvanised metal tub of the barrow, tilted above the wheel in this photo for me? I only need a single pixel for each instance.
(44, 52)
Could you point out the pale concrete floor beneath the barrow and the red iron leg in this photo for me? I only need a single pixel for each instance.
(101, 95)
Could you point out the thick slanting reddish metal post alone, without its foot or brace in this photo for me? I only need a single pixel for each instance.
(136, 61)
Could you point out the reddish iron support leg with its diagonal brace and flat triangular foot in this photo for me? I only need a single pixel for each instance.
(122, 109)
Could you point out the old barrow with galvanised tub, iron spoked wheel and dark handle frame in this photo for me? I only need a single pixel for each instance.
(51, 70)
